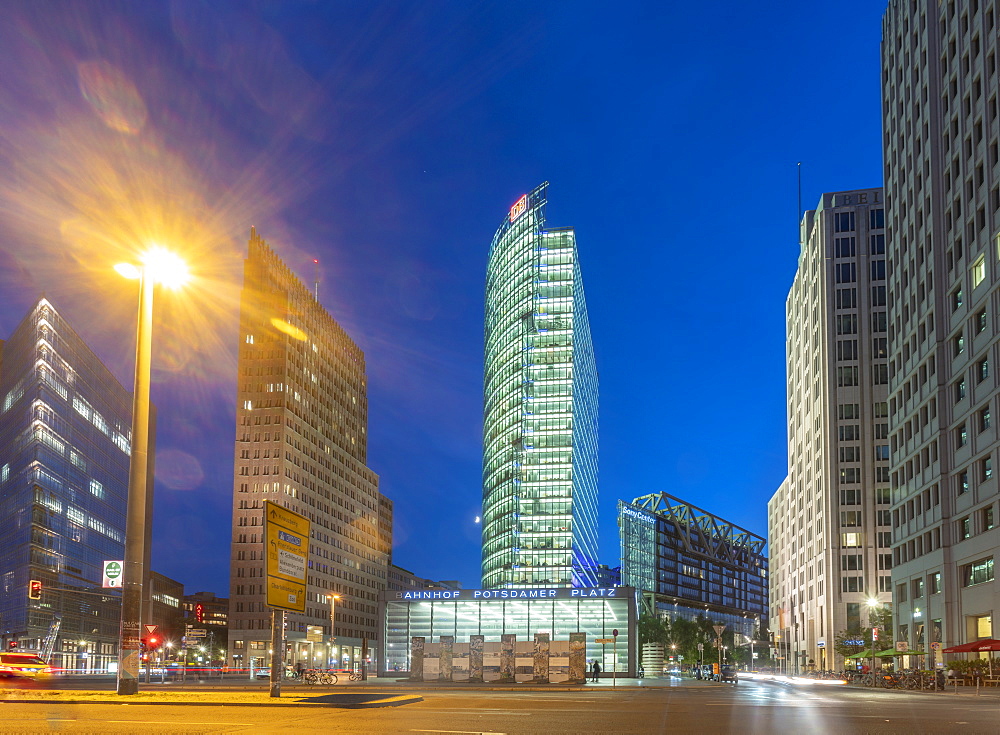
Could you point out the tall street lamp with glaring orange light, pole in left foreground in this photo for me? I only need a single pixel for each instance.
(158, 266)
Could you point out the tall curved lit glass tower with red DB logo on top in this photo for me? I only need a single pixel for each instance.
(540, 408)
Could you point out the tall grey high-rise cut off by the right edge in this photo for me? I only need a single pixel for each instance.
(941, 124)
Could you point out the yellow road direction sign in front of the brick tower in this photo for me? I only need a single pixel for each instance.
(286, 541)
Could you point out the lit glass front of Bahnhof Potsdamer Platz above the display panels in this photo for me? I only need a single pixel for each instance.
(464, 613)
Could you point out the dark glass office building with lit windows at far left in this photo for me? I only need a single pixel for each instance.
(65, 428)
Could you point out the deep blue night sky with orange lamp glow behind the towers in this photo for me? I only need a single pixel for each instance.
(388, 140)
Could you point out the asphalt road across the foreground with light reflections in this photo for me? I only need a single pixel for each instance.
(694, 707)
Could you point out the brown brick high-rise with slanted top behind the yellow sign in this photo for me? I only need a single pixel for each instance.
(301, 441)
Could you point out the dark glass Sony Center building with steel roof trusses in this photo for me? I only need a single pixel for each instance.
(693, 562)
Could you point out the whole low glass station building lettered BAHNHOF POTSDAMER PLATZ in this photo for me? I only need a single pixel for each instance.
(461, 616)
